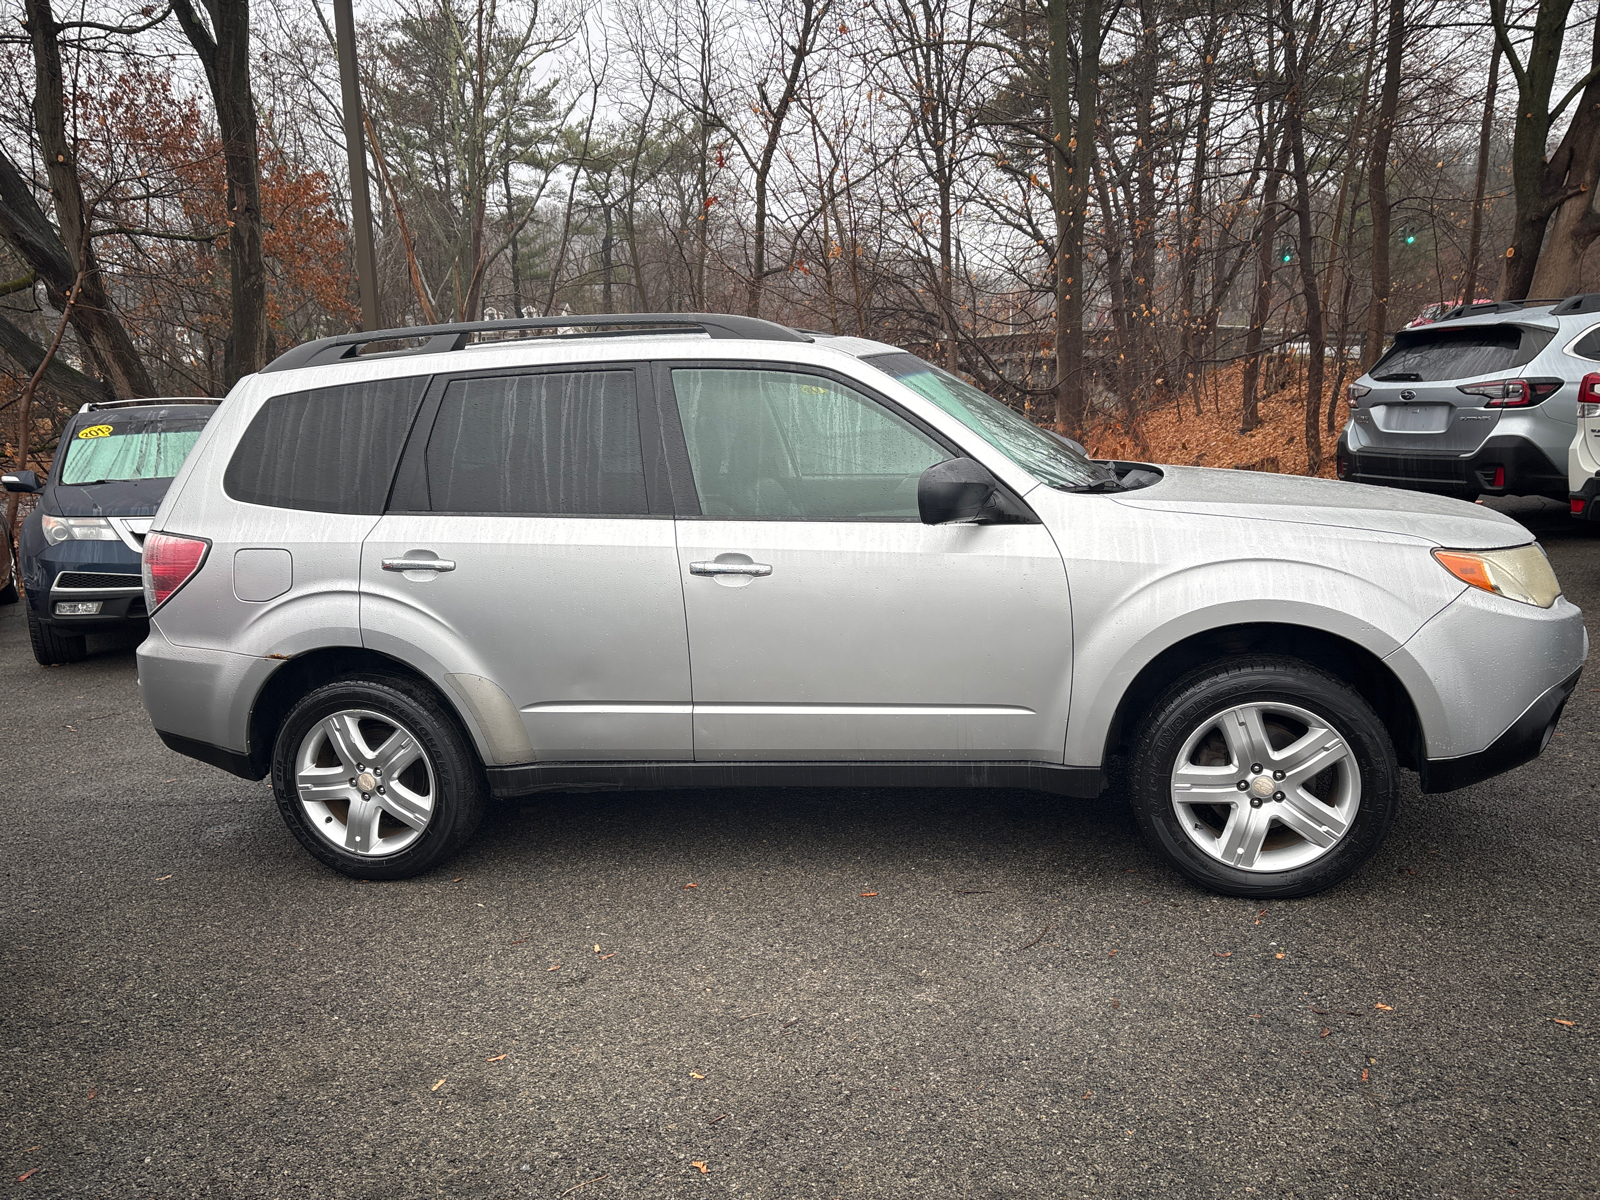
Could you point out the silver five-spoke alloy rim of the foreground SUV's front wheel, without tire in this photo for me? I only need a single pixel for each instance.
(1266, 786)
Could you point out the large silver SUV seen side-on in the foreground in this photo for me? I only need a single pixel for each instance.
(690, 551)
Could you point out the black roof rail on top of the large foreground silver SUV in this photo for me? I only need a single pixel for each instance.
(457, 337)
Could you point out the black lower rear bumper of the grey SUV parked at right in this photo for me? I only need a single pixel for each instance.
(1503, 466)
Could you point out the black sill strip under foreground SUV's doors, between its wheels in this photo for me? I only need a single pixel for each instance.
(607, 777)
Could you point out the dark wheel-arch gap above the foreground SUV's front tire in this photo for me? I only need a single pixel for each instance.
(1340, 657)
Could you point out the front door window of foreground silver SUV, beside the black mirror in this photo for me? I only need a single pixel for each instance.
(783, 444)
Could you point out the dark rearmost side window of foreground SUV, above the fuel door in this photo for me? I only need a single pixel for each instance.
(329, 450)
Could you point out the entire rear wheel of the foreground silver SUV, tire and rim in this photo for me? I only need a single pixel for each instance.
(377, 778)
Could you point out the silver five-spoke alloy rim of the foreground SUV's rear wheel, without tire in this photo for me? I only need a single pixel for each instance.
(366, 785)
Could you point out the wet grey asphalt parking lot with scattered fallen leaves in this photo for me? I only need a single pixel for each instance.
(786, 994)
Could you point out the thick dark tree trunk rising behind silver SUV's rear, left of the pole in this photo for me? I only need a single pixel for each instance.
(225, 54)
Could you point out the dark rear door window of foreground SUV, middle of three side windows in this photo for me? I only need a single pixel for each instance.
(538, 444)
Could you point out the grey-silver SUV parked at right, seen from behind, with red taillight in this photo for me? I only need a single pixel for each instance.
(1482, 402)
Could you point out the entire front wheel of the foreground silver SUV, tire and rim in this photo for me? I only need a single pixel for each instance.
(1265, 777)
